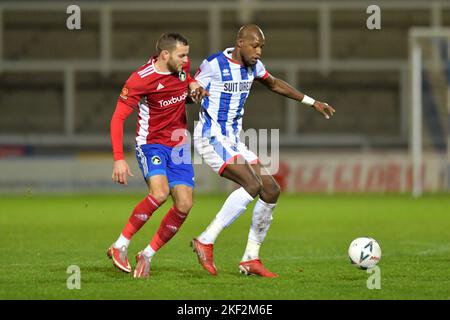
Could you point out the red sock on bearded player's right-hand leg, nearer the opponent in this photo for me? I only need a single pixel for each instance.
(169, 226)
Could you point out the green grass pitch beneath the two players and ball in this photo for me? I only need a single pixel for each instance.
(41, 236)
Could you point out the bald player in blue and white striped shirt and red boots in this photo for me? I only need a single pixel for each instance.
(228, 76)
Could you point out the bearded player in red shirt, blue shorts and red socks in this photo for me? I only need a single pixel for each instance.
(157, 91)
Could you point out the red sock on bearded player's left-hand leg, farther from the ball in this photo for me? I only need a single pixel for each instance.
(141, 213)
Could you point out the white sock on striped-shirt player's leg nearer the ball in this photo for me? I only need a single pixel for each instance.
(261, 220)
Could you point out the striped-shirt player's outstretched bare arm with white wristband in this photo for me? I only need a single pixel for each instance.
(281, 87)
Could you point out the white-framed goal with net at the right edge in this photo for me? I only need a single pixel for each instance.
(430, 107)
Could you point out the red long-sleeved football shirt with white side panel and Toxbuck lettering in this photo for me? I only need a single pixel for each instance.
(160, 99)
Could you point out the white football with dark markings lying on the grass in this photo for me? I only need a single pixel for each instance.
(364, 252)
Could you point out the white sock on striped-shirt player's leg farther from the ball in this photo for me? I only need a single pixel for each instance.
(233, 207)
